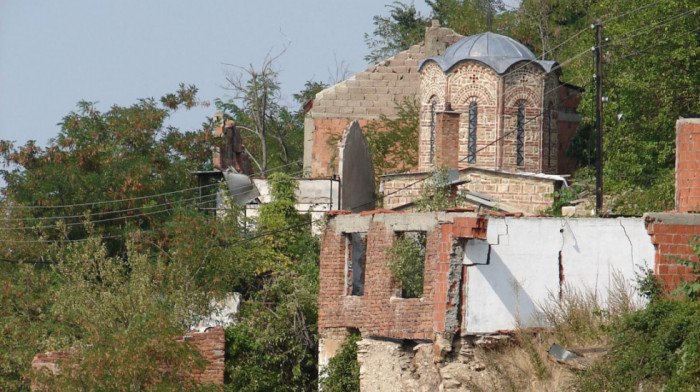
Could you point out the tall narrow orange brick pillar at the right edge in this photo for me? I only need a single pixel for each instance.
(688, 165)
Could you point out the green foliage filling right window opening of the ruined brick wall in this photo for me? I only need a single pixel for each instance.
(407, 263)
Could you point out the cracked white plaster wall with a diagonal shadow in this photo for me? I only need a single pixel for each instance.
(523, 265)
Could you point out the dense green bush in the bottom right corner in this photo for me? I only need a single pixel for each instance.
(657, 348)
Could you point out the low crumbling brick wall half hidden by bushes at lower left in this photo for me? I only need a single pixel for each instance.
(210, 344)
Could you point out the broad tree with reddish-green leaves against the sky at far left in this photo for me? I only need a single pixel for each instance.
(103, 166)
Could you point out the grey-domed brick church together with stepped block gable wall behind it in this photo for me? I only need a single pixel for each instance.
(490, 111)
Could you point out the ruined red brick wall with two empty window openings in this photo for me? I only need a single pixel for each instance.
(378, 312)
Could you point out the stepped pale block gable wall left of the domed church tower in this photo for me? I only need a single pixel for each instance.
(366, 96)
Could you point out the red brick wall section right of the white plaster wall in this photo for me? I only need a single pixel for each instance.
(671, 235)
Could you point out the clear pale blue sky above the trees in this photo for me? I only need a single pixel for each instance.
(56, 53)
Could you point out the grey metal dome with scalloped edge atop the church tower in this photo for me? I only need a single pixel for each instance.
(494, 50)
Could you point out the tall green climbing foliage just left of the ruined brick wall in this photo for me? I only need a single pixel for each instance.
(274, 345)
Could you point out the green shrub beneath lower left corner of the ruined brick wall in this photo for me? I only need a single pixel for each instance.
(343, 371)
